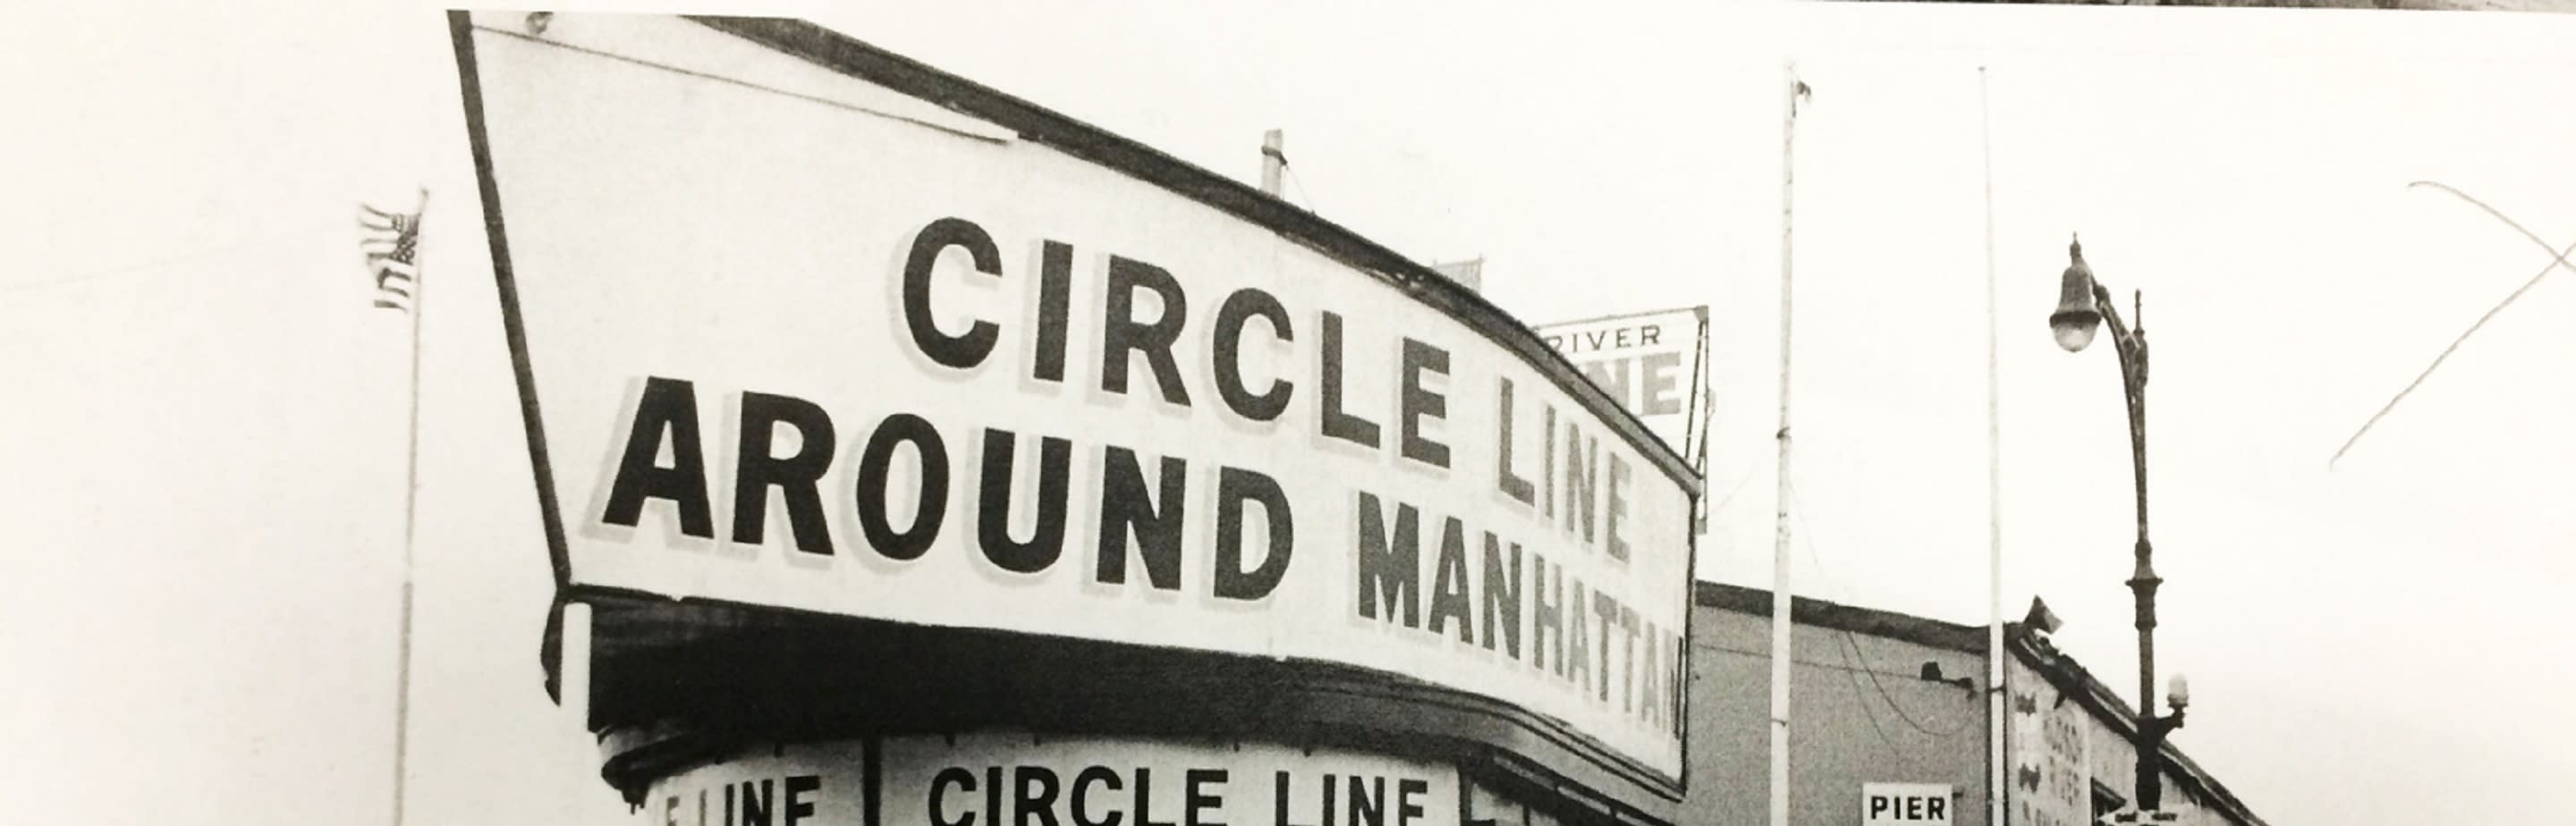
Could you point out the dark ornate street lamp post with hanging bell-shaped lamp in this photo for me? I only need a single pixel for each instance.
(2083, 307)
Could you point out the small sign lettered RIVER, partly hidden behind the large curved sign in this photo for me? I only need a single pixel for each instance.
(1647, 362)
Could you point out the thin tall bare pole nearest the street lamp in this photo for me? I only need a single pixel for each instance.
(1995, 493)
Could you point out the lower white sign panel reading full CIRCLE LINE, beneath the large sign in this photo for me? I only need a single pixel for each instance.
(1006, 781)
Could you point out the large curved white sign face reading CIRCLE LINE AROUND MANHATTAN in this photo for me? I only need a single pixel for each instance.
(826, 354)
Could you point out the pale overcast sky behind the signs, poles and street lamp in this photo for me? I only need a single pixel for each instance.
(205, 421)
